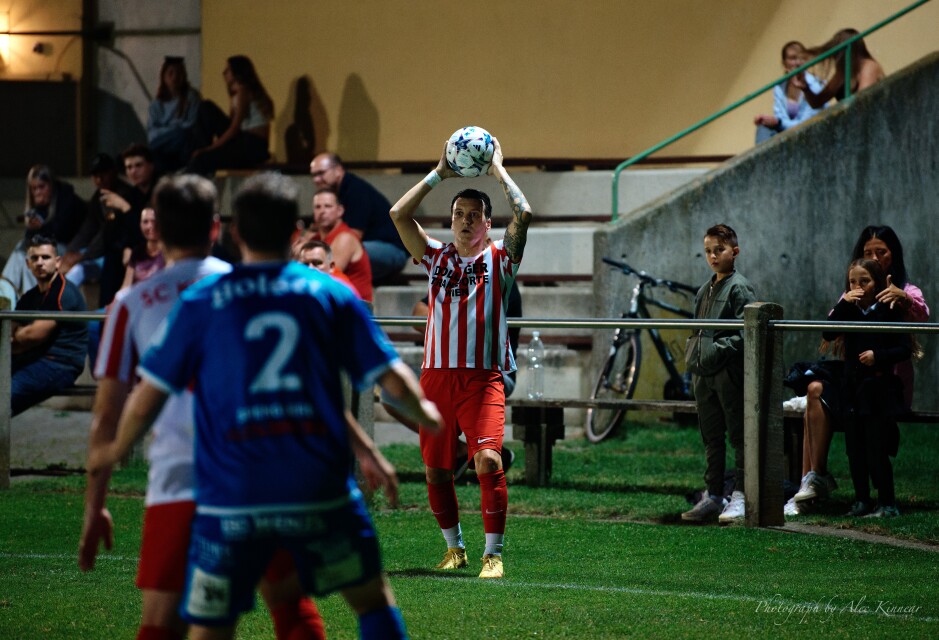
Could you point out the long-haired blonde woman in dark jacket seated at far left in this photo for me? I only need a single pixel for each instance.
(52, 210)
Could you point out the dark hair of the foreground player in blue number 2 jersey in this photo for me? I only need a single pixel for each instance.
(265, 212)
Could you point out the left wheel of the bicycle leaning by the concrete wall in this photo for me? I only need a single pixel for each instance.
(617, 382)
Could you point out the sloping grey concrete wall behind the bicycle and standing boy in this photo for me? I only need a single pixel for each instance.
(798, 204)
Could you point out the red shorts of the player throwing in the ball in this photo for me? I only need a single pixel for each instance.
(471, 401)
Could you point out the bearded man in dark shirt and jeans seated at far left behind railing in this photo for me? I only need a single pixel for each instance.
(48, 355)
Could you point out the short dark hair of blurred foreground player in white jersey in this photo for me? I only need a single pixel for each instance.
(185, 208)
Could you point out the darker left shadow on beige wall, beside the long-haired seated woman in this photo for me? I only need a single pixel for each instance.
(307, 130)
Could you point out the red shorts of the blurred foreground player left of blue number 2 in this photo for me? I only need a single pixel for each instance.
(165, 545)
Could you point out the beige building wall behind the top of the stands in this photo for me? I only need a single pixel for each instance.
(596, 78)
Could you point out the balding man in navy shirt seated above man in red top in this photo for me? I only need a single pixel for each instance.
(367, 212)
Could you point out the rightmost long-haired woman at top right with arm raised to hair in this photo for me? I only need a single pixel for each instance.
(865, 71)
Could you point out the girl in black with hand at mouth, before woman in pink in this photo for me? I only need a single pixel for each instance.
(870, 388)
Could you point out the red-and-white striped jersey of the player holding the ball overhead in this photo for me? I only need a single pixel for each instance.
(468, 298)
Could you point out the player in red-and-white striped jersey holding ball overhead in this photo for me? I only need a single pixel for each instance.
(466, 347)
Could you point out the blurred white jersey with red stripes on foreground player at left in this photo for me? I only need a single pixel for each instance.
(134, 318)
